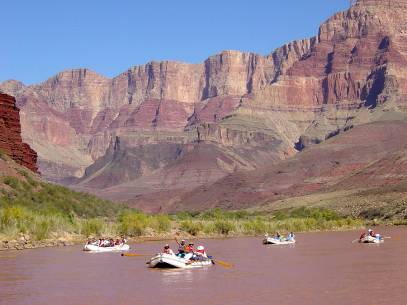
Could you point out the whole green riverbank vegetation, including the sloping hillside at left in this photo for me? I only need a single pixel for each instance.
(40, 211)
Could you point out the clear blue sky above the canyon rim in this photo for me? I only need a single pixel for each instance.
(40, 38)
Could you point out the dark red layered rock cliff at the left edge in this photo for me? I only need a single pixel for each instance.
(10, 134)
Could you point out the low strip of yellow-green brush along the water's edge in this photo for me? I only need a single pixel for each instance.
(39, 225)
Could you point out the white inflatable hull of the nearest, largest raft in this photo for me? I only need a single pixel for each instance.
(163, 260)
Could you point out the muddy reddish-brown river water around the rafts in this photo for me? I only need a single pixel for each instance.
(322, 268)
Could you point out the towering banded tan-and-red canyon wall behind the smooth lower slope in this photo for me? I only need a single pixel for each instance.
(243, 110)
